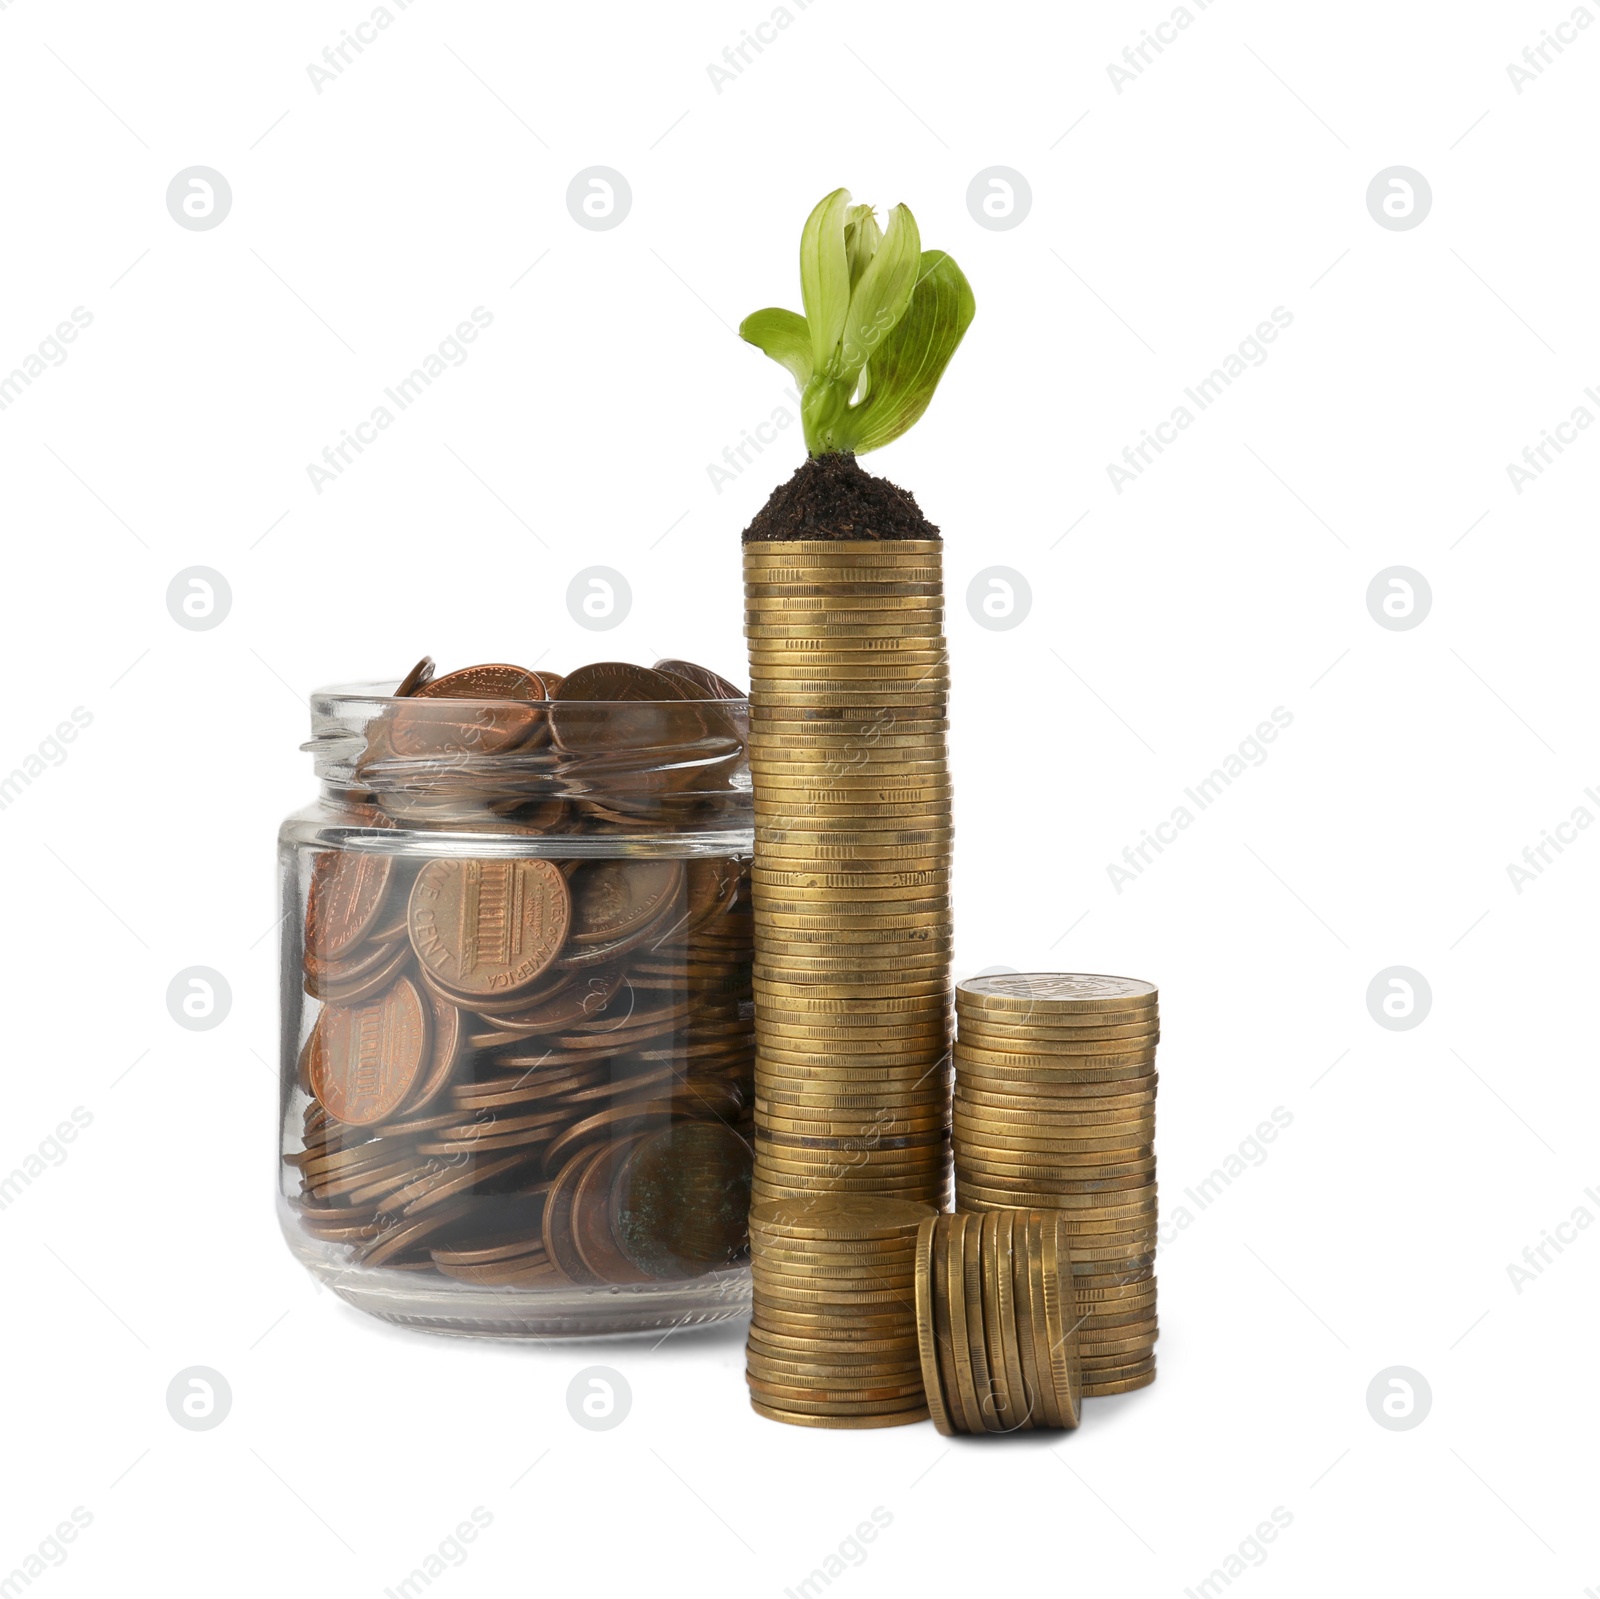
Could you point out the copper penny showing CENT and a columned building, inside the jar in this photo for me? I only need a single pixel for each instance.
(489, 928)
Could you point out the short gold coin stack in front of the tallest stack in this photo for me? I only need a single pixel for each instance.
(834, 1312)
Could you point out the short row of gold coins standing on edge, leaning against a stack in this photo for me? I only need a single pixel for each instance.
(996, 1323)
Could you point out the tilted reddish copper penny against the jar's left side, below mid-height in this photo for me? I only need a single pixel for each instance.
(364, 1060)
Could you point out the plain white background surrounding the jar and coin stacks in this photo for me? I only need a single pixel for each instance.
(1167, 220)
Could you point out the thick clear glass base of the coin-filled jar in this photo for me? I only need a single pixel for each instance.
(462, 1310)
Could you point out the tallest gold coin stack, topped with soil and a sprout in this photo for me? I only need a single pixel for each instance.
(849, 686)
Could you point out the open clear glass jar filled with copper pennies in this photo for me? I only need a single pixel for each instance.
(518, 1024)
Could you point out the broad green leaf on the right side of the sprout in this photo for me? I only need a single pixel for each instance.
(908, 364)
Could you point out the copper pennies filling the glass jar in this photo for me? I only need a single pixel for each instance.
(530, 1072)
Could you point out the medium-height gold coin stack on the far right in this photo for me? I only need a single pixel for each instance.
(1055, 1107)
